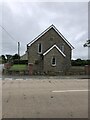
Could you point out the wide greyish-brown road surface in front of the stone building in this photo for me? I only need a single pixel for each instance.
(45, 98)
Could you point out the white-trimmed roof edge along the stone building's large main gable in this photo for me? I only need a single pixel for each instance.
(52, 26)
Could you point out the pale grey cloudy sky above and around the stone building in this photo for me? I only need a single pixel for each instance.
(26, 20)
